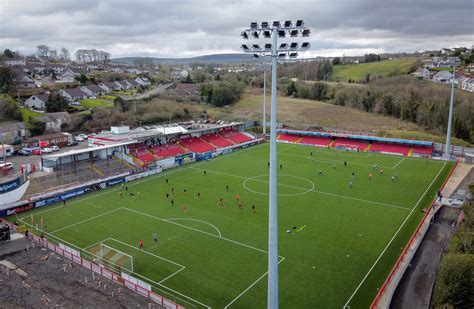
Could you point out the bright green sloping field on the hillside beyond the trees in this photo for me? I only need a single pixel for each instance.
(381, 68)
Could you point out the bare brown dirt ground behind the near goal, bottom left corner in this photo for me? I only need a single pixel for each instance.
(53, 282)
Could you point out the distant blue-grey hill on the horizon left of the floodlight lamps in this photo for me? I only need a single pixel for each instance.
(216, 58)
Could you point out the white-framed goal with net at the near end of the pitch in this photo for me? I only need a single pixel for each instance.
(112, 258)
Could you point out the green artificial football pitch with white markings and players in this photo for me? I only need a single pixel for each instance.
(337, 243)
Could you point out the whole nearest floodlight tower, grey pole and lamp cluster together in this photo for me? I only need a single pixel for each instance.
(288, 31)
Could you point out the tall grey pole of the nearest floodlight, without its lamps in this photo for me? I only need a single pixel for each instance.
(273, 211)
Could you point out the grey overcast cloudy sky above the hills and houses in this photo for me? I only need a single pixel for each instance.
(183, 28)
